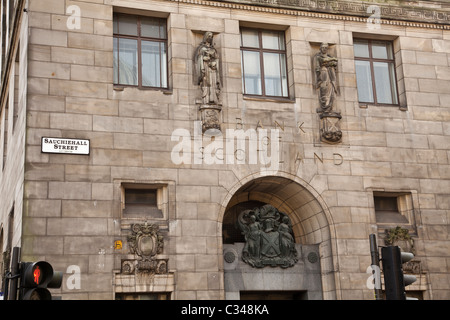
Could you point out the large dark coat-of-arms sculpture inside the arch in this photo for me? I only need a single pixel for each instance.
(269, 238)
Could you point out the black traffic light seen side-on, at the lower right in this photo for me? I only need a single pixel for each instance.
(394, 279)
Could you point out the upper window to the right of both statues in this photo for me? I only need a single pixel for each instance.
(375, 72)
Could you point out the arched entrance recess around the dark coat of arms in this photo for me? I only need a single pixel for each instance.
(312, 277)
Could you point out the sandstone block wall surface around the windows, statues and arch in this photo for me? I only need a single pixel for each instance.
(72, 204)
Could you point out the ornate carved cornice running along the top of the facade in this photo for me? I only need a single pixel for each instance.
(347, 10)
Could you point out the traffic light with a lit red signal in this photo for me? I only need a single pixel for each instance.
(36, 278)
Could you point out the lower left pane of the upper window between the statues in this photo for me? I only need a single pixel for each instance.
(252, 72)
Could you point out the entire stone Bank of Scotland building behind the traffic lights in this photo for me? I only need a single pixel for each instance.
(225, 149)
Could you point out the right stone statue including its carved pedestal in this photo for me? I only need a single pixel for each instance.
(326, 84)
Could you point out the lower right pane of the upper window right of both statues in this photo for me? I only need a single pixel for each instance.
(384, 83)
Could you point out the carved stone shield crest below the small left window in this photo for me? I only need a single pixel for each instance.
(146, 243)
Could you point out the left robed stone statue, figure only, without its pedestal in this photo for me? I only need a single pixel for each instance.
(207, 65)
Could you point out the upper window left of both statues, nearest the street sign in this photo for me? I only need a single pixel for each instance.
(140, 51)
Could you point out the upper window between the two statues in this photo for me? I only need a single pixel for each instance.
(263, 58)
